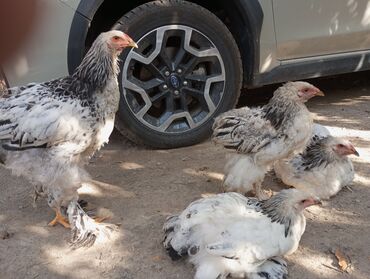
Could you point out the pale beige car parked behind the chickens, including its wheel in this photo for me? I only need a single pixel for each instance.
(194, 57)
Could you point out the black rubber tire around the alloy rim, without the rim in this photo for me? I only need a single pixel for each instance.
(144, 20)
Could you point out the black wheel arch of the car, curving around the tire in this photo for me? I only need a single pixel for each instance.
(243, 18)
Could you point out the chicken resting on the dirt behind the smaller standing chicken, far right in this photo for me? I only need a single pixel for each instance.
(323, 169)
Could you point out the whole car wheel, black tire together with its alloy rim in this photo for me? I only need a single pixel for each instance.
(186, 71)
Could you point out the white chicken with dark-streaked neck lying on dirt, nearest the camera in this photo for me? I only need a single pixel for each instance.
(229, 234)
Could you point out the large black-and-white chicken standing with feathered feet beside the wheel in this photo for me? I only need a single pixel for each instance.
(49, 130)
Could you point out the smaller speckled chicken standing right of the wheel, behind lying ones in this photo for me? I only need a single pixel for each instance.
(263, 135)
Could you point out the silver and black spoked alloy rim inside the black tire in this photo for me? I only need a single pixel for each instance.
(175, 80)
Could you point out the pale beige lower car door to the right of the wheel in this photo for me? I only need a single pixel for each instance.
(307, 28)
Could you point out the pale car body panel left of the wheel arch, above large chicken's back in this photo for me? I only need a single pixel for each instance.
(44, 56)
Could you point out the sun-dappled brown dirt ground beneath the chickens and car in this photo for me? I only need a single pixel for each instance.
(140, 187)
